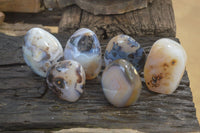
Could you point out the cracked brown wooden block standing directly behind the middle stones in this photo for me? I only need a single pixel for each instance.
(156, 20)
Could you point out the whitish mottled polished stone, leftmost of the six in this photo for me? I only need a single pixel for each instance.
(41, 50)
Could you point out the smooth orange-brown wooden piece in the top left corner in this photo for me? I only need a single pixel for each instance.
(31, 6)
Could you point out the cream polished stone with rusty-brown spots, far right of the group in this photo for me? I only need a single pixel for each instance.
(165, 66)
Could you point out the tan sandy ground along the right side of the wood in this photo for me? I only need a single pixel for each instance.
(188, 30)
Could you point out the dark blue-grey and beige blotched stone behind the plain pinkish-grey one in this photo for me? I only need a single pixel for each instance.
(125, 47)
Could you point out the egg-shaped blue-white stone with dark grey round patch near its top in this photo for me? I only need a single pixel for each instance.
(83, 46)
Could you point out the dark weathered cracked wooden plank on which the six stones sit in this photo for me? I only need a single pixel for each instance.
(27, 104)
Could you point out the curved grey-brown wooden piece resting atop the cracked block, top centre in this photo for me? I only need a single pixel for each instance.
(107, 7)
